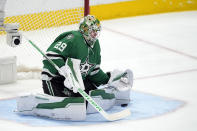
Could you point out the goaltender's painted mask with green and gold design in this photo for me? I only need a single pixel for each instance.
(90, 28)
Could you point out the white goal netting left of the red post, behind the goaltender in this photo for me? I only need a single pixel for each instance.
(41, 21)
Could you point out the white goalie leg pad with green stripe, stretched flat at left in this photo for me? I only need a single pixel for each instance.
(62, 108)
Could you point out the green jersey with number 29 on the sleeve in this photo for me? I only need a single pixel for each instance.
(72, 44)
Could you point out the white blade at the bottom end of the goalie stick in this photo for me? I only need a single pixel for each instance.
(118, 115)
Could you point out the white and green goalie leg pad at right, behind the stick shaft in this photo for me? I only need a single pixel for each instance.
(102, 98)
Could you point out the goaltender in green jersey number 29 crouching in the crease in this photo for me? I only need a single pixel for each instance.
(77, 54)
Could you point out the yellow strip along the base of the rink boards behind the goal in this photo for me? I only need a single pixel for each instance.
(102, 11)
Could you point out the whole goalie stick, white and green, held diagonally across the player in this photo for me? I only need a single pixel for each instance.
(109, 117)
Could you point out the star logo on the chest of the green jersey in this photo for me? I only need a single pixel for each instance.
(86, 66)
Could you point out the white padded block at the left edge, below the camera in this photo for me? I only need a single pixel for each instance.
(8, 71)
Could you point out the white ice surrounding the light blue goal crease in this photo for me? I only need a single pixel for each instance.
(162, 52)
